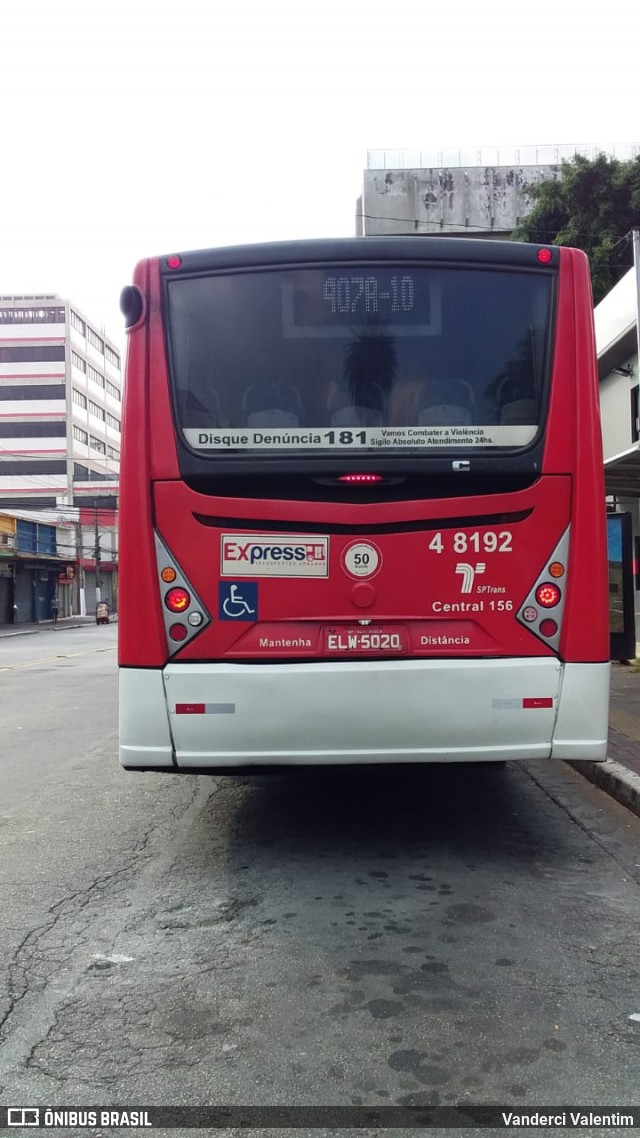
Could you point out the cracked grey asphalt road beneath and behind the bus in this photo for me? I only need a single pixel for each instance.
(387, 937)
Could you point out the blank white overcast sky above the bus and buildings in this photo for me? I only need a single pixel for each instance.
(133, 129)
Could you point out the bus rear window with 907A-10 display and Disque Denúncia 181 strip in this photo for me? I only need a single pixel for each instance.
(367, 358)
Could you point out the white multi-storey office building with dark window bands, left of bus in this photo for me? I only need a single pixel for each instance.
(61, 405)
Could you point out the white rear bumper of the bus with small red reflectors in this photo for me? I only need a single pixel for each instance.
(204, 716)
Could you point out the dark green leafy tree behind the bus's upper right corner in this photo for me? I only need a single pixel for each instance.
(593, 207)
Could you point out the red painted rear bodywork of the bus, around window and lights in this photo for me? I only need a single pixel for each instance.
(416, 587)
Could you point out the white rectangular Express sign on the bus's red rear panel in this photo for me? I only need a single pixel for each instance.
(274, 556)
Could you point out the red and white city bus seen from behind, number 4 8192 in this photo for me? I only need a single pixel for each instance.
(363, 508)
